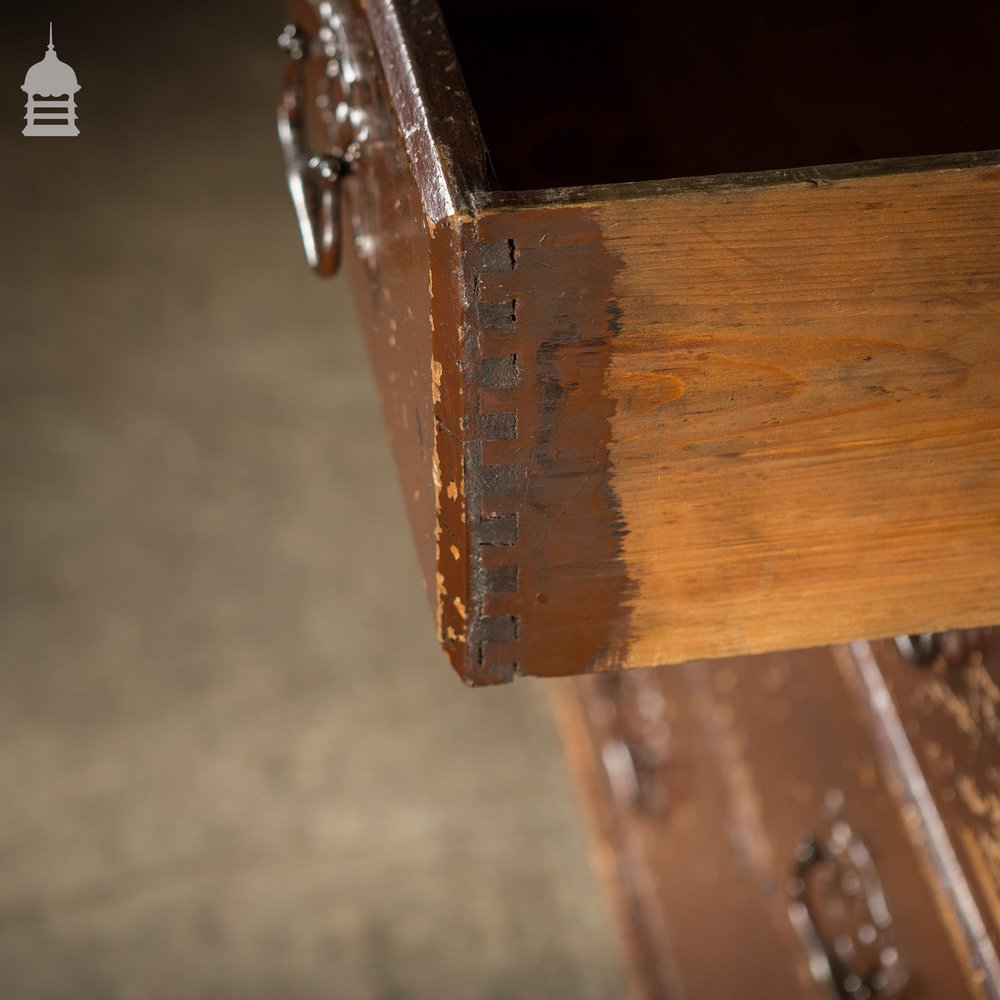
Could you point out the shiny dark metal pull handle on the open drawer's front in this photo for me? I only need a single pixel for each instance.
(313, 181)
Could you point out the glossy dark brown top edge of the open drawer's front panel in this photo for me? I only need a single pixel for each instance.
(439, 126)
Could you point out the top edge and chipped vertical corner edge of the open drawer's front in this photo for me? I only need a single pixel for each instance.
(431, 110)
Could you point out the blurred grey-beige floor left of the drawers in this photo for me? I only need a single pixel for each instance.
(233, 762)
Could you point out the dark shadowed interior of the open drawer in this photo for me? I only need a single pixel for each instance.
(587, 92)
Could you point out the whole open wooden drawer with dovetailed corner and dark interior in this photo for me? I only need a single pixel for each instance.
(677, 409)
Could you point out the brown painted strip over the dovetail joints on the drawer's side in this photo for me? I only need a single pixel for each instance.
(539, 427)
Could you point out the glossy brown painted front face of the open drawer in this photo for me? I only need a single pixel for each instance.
(383, 238)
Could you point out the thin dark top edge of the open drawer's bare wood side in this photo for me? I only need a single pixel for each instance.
(817, 176)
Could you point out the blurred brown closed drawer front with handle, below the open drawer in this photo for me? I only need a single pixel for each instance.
(758, 836)
